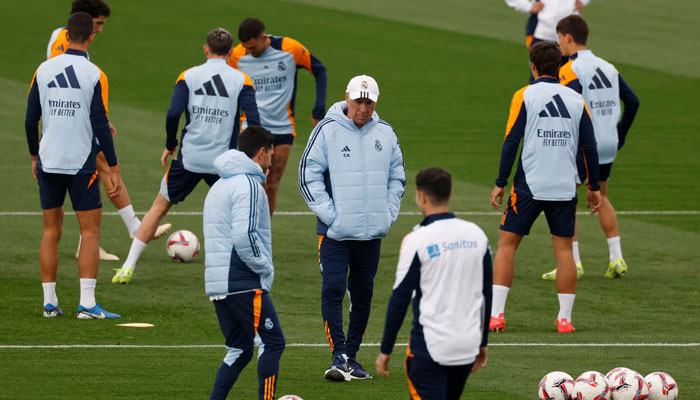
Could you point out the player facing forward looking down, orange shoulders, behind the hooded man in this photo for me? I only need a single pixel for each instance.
(272, 63)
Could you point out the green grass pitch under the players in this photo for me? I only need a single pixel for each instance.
(446, 75)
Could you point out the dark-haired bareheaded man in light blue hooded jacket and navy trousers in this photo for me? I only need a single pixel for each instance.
(238, 263)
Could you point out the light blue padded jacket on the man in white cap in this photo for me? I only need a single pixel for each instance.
(352, 179)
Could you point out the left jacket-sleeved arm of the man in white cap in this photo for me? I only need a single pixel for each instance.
(312, 169)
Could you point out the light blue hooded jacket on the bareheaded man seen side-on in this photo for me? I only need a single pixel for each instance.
(237, 237)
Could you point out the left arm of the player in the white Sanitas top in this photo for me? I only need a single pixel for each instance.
(407, 281)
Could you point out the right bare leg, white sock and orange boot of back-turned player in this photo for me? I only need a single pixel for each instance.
(566, 281)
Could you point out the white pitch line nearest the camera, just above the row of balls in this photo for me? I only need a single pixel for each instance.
(201, 346)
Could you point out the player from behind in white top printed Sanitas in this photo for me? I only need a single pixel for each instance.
(446, 263)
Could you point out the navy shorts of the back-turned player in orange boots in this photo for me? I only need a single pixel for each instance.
(522, 211)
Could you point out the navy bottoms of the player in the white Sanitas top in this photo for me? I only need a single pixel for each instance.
(429, 380)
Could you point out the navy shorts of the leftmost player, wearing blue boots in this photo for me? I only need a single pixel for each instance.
(84, 190)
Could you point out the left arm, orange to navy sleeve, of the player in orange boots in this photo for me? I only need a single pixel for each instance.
(515, 130)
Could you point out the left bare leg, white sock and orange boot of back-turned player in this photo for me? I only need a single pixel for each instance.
(503, 271)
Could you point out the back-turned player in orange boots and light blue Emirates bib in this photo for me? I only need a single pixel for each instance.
(552, 121)
